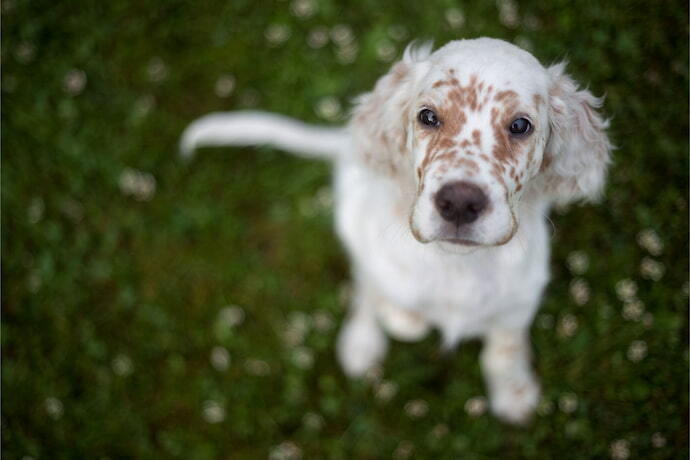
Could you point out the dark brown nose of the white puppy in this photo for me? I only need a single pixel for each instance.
(460, 202)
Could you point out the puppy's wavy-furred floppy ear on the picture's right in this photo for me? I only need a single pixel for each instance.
(577, 152)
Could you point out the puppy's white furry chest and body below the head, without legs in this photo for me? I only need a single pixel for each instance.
(453, 291)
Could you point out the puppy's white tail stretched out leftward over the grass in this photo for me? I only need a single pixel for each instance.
(261, 128)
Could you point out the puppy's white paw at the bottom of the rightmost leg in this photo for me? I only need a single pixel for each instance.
(515, 402)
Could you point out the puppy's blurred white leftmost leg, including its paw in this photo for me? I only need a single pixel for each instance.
(361, 343)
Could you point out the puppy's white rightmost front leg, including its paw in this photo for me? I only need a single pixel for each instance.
(513, 388)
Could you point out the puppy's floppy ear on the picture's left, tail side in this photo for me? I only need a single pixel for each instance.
(381, 118)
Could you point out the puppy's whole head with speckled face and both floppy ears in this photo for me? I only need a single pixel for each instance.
(473, 128)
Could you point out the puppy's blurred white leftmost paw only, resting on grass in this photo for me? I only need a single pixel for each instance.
(361, 345)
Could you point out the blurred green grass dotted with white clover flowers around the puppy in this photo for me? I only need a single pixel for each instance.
(155, 309)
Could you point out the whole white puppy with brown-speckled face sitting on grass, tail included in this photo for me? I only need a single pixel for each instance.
(443, 180)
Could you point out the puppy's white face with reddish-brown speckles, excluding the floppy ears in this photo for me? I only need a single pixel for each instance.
(479, 128)
